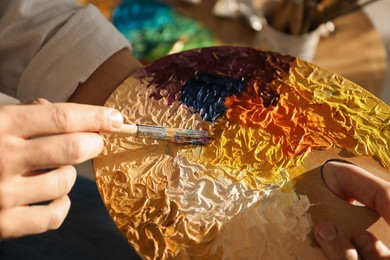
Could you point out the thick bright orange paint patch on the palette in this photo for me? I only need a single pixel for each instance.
(295, 122)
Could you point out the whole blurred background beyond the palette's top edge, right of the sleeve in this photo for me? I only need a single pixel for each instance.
(348, 37)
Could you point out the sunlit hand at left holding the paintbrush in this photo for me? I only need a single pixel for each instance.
(38, 145)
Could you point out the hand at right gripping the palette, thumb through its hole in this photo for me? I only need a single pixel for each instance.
(352, 183)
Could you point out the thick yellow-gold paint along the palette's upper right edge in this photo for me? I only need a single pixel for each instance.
(352, 106)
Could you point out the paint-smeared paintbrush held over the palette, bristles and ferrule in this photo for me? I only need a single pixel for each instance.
(175, 135)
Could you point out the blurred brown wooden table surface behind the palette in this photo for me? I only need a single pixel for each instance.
(355, 51)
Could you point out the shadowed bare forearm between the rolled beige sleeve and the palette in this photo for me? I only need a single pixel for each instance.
(106, 78)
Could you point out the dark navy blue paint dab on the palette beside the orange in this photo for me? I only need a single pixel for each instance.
(206, 94)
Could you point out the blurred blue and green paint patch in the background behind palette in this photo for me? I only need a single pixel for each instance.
(154, 27)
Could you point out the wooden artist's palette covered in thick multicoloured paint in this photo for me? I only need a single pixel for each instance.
(267, 114)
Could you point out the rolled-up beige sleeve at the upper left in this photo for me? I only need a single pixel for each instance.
(48, 47)
